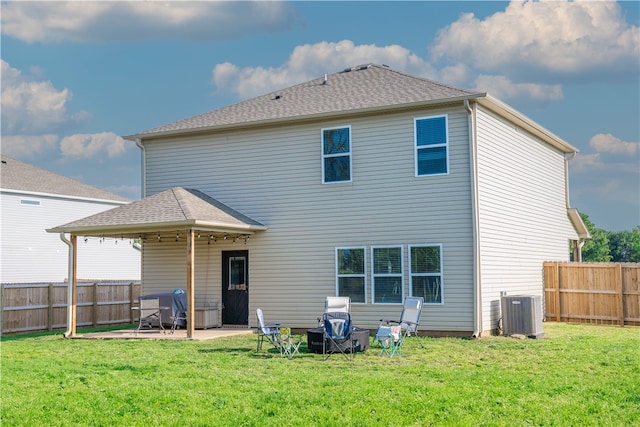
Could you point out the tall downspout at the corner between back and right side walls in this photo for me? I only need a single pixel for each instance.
(473, 172)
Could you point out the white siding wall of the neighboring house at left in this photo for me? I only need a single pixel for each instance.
(30, 254)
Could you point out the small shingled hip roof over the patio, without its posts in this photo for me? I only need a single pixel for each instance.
(174, 209)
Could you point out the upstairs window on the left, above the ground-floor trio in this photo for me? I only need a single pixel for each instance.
(336, 154)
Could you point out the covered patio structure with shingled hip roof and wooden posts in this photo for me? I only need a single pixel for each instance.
(172, 211)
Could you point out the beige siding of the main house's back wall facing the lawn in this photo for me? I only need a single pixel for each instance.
(274, 175)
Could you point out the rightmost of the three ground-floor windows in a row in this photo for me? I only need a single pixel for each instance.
(426, 272)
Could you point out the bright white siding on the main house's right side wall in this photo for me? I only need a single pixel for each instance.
(522, 211)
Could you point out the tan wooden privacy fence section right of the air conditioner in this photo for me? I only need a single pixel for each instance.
(602, 293)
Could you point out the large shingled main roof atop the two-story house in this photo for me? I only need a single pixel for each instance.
(362, 88)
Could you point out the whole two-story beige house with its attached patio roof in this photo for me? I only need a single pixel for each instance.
(369, 183)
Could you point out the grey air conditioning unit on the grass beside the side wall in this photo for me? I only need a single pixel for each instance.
(522, 314)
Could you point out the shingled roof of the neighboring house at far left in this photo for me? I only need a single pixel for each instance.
(16, 176)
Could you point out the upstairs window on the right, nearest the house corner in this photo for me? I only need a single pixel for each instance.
(431, 139)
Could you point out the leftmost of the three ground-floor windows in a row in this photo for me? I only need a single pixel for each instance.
(350, 269)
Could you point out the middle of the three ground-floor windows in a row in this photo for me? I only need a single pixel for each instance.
(387, 274)
